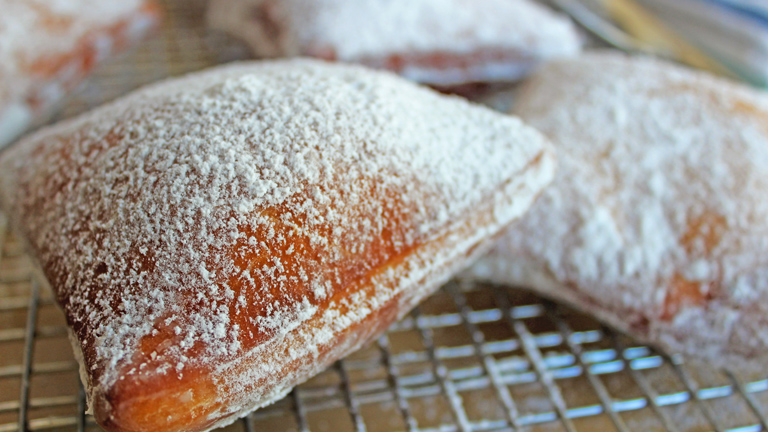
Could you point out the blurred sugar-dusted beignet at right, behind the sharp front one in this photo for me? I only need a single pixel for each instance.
(657, 221)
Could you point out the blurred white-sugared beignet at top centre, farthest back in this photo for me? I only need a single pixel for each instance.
(436, 42)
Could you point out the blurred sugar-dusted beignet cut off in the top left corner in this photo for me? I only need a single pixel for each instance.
(48, 47)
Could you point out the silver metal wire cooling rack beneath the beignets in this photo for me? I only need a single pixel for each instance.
(473, 357)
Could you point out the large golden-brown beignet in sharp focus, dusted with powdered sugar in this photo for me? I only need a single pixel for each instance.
(216, 239)
